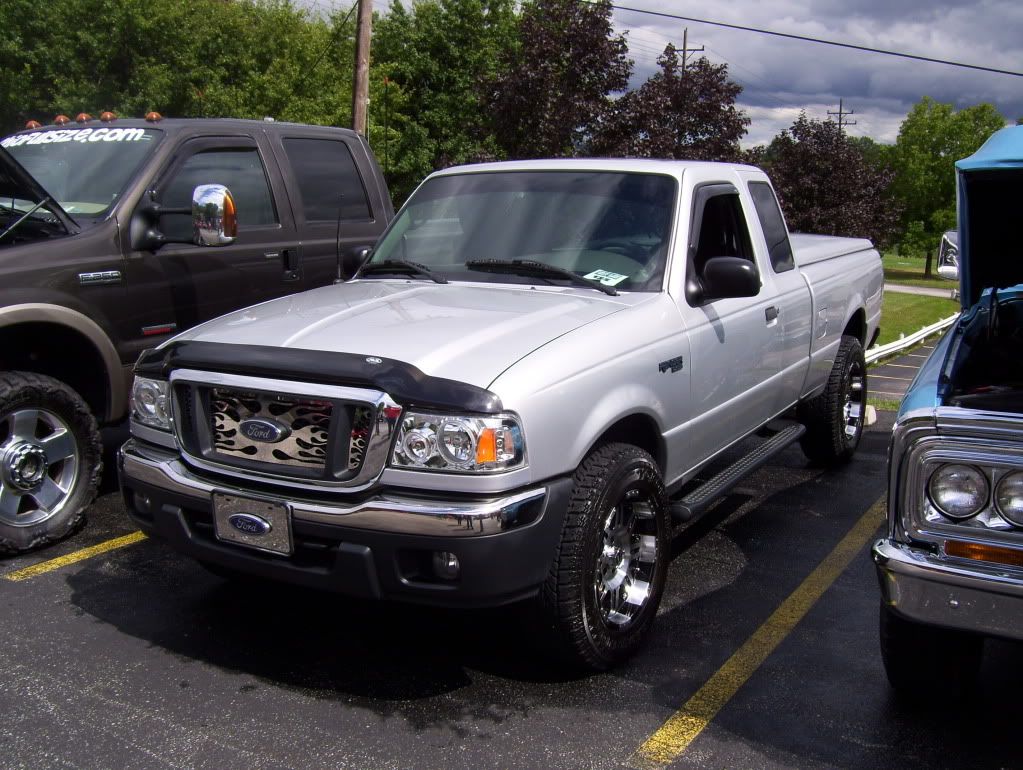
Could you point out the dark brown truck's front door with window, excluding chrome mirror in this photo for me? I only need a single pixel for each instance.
(182, 285)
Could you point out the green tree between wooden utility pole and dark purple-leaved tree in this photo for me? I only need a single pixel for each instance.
(435, 56)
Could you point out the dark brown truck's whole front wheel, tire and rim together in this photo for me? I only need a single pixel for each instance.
(51, 461)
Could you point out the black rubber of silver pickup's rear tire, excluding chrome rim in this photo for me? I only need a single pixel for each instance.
(825, 441)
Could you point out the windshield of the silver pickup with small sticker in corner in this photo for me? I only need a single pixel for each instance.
(606, 227)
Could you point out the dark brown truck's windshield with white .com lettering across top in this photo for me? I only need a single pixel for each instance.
(84, 169)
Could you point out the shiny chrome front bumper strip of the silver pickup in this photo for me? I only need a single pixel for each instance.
(386, 513)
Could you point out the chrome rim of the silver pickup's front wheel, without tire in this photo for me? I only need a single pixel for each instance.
(628, 560)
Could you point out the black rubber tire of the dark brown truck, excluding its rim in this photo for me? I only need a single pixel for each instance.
(91, 464)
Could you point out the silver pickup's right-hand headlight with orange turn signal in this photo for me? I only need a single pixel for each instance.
(459, 444)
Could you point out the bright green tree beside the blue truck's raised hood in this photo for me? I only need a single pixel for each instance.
(932, 139)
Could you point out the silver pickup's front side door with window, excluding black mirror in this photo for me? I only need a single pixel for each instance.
(734, 339)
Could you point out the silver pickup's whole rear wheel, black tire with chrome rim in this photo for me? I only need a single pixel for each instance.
(834, 420)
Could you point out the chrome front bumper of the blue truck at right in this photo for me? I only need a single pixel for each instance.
(929, 590)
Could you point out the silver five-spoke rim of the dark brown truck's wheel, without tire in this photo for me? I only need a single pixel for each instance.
(39, 466)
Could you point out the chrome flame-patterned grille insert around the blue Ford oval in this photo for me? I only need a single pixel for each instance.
(307, 425)
